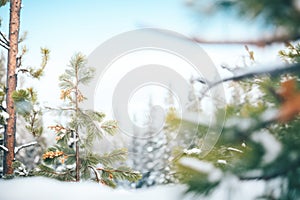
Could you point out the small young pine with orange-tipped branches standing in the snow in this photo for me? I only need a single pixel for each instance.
(73, 158)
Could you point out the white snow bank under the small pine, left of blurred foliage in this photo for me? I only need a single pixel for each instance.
(49, 189)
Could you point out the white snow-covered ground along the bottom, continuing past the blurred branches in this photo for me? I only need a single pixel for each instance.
(49, 189)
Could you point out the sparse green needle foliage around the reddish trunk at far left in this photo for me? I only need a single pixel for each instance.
(30, 111)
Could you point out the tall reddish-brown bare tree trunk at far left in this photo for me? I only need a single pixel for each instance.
(9, 135)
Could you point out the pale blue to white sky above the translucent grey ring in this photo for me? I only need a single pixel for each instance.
(69, 26)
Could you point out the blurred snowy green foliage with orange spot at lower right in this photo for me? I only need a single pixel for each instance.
(259, 141)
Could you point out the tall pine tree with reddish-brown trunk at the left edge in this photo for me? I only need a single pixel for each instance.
(18, 102)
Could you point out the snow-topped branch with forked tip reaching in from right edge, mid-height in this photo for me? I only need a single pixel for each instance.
(263, 70)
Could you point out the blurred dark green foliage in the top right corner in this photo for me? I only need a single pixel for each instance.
(281, 15)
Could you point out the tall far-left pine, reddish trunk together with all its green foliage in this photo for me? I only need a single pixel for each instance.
(18, 100)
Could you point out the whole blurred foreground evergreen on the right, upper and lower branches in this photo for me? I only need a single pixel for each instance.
(260, 139)
